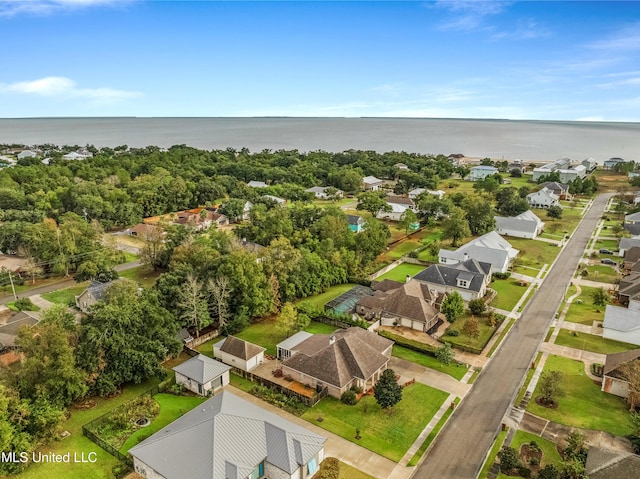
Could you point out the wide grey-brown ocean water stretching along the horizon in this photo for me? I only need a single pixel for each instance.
(498, 139)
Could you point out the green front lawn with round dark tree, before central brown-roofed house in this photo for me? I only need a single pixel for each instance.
(389, 435)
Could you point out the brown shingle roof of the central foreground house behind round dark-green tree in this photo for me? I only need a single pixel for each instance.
(355, 353)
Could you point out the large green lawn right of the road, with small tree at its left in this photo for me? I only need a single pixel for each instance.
(583, 405)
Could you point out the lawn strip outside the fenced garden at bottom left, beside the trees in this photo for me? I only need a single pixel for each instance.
(76, 442)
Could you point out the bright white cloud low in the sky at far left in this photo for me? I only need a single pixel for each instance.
(65, 88)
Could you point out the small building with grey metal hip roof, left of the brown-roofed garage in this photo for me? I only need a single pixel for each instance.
(202, 374)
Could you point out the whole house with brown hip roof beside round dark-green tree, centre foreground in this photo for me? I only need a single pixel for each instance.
(348, 358)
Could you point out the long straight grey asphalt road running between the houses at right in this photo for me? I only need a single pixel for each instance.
(460, 449)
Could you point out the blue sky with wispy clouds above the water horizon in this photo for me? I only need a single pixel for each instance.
(448, 59)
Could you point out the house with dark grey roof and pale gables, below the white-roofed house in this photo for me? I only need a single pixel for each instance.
(469, 278)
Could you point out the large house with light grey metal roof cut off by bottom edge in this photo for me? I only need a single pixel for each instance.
(228, 437)
